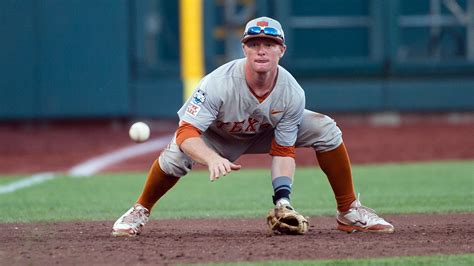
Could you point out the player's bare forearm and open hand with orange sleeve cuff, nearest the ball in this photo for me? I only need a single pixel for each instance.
(189, 140)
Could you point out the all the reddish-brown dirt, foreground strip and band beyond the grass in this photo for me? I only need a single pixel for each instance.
(45, 146)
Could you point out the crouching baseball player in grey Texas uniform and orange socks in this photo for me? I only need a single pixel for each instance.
(253, 105)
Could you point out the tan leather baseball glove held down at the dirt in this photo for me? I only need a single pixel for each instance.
(285, 220)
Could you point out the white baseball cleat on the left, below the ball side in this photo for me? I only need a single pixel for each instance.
(131, 222)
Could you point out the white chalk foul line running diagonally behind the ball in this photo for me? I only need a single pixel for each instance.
(93, 165)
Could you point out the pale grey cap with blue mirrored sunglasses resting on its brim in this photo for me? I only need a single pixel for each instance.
(264, 27)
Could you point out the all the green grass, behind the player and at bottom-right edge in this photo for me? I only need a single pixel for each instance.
(437, 187)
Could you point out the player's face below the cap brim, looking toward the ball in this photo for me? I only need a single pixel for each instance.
(263, 54)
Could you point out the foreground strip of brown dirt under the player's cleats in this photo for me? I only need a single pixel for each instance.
(201, 241)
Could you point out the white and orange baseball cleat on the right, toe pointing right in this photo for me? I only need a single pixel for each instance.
(363, 219)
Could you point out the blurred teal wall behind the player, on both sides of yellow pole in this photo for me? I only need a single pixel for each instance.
(121, 58)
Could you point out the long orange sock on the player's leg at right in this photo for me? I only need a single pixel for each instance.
(337, 167)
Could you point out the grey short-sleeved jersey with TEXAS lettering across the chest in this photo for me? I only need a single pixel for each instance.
(224, 104)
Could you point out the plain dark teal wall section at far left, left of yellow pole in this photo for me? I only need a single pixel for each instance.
(64, 59)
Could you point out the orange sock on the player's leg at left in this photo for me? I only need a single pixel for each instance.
(156, 185)
